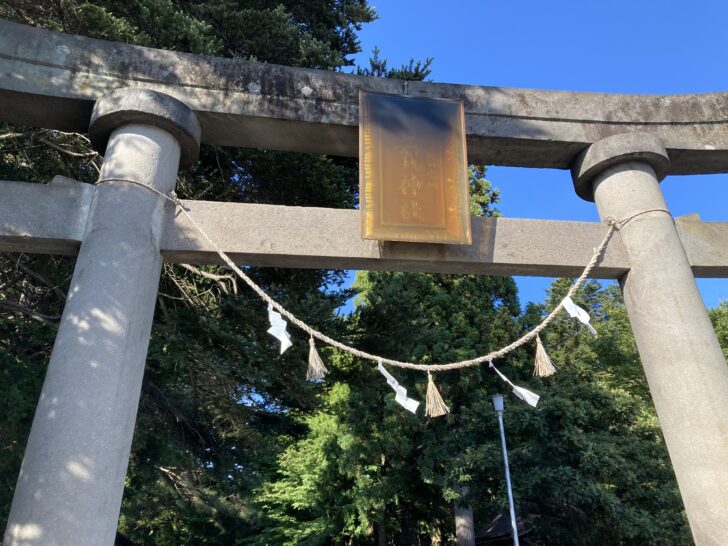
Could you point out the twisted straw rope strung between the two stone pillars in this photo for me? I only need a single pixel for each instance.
(526, 338)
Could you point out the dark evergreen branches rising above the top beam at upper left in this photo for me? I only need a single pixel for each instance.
(316, 34)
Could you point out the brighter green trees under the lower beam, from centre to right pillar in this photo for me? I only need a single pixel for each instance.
(589, 464)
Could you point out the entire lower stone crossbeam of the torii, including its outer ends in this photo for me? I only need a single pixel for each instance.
(40, 218)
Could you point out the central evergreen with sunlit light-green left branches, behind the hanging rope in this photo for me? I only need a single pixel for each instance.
(388, 473)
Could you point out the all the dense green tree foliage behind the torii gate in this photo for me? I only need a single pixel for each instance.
(232, 446)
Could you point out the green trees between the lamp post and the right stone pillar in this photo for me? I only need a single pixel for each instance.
(590, 464)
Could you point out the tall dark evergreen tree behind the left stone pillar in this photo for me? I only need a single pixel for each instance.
(218, 404)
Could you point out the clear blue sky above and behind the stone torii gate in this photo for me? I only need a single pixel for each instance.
(638, 46)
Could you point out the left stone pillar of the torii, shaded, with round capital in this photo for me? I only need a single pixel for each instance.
(72, 479)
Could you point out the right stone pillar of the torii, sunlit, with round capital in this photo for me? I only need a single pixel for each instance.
(683, 362)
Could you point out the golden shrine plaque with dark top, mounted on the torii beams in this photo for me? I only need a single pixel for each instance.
(413, 177)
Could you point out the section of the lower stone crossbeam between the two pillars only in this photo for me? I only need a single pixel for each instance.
(307, 237)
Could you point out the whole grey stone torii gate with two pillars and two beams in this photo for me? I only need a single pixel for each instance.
(148, 110)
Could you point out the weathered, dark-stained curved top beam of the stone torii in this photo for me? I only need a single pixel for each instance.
(49, 79)
